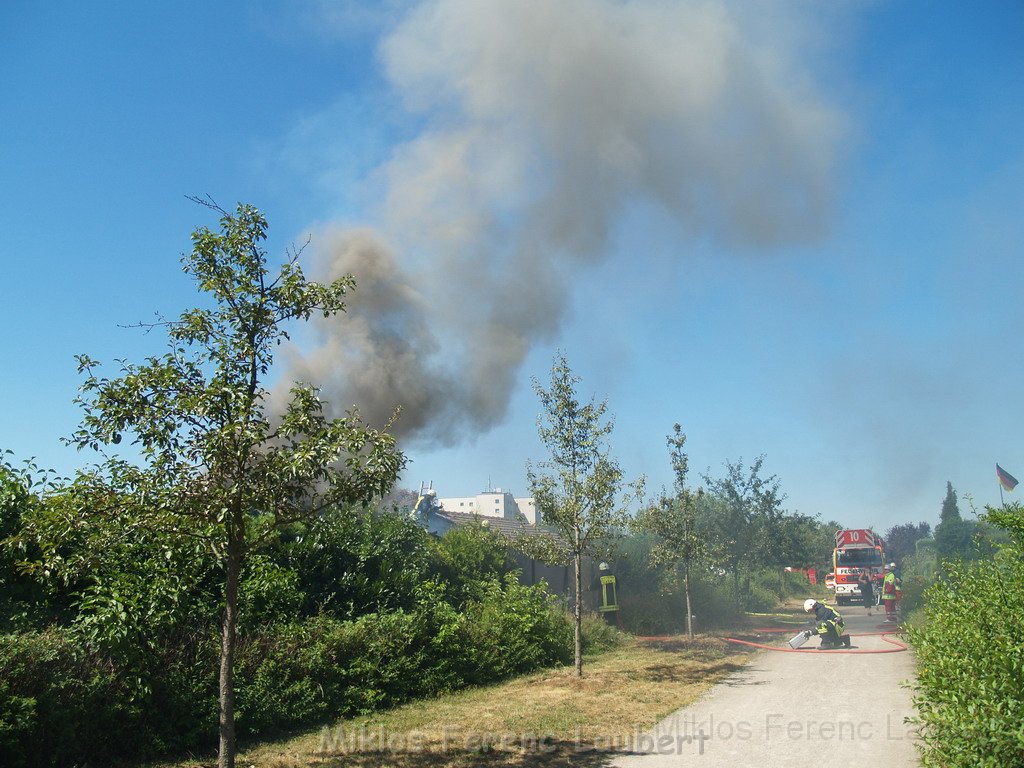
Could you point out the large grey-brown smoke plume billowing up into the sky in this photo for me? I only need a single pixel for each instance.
(542, 120)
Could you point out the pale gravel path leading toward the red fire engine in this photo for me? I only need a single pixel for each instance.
(787, 710)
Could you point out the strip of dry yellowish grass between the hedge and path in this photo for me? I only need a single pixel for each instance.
(546, 720)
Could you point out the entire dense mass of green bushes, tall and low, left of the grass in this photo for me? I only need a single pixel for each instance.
(349, 615)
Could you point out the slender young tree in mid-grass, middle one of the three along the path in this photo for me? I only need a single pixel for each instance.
(578, 489)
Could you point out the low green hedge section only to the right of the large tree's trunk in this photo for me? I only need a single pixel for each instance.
(326, 668)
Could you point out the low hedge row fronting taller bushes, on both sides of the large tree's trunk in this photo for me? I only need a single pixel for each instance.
(62, 705)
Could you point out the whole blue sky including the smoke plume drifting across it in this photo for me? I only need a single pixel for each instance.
(795, 229)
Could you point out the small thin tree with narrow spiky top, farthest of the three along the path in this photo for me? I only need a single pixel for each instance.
(674, 521)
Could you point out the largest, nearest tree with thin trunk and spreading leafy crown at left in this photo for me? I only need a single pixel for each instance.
(215, 464)
